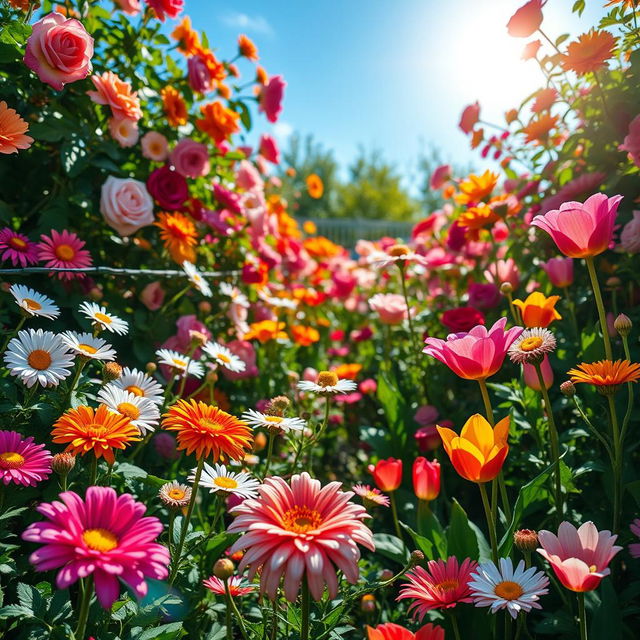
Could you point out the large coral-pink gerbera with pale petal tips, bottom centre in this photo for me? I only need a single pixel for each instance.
(301, 531)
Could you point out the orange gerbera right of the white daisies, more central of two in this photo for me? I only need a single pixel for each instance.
(207, 430)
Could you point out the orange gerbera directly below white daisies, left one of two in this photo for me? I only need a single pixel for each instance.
(101, 431)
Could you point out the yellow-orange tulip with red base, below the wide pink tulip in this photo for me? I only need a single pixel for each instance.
(479, 452)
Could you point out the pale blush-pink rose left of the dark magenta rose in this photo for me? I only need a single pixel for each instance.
(126, 205)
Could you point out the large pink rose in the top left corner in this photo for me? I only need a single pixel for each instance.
(59, 50)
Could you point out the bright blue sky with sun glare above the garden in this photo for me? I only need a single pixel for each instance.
(388, 74)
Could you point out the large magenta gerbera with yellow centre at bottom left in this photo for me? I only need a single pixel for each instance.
(105, 535)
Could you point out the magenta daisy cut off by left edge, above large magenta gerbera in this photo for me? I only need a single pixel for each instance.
(22, 461)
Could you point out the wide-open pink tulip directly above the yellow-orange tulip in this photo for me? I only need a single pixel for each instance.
(476, 355)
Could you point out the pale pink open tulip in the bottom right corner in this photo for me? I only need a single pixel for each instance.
(578, 557)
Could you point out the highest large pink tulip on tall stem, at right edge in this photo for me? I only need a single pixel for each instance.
(581, 230)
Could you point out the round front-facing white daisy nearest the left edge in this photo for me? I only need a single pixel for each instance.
(38, 356)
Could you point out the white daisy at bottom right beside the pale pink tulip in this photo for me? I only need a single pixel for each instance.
(505, 588)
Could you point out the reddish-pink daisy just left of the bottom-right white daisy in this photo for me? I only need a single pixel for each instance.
(441, 585)
